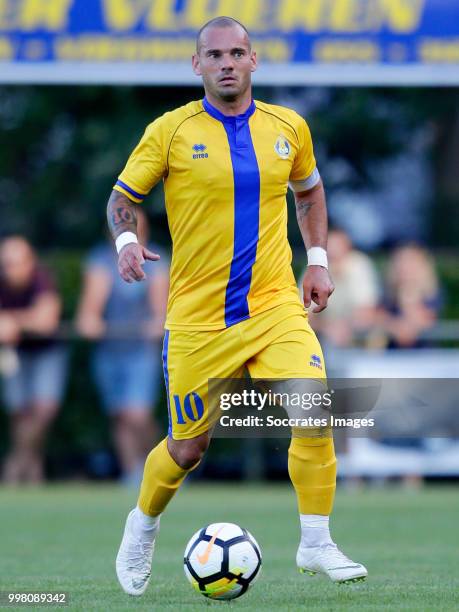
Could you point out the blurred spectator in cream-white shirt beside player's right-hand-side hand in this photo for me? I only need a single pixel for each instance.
(352, 307)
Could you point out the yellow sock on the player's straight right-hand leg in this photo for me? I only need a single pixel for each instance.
(312, 470)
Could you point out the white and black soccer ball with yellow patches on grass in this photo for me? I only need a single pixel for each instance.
(222, 560)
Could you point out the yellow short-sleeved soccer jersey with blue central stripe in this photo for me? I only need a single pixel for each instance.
(225, 182)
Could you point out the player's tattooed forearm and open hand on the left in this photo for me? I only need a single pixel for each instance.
(121, 219)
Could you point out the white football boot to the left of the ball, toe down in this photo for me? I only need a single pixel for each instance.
(133, 562)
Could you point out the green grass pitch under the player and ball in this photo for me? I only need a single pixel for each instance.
(65, 538)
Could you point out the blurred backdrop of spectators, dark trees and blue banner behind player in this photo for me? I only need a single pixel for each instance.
(378, 83)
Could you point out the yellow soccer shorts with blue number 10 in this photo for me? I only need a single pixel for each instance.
(276, 344)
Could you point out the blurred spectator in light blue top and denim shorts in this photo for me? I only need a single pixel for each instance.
(127, 320)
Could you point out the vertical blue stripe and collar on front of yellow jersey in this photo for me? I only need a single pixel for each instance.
(246, 211)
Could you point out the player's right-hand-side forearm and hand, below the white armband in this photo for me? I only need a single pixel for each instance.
(311, 213)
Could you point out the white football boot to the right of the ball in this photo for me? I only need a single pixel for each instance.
(329, 560)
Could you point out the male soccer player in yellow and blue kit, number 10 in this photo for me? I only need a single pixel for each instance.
(226, 162)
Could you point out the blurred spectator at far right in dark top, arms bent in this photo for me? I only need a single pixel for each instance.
(412, 298)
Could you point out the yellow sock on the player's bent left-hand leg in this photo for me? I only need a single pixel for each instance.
(161, 479)
